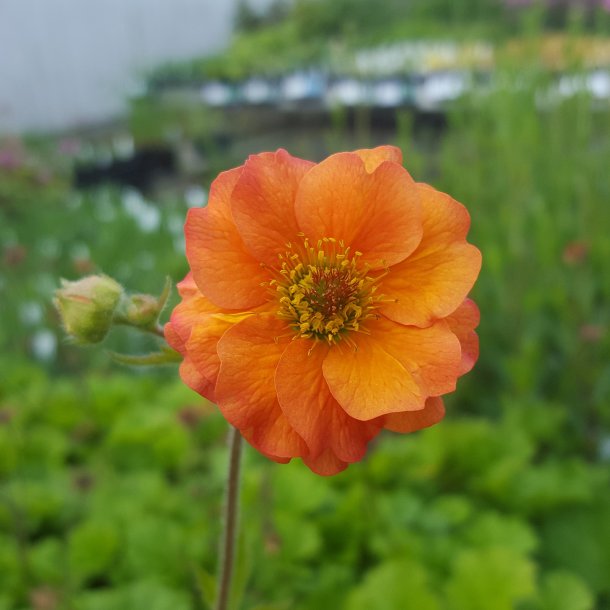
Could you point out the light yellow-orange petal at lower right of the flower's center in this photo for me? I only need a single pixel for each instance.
(393, 369)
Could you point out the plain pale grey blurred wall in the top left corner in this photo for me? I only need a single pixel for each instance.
(70, 62)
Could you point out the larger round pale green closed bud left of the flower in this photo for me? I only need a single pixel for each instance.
(87, 306)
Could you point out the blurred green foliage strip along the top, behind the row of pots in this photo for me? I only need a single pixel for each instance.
(323, 33)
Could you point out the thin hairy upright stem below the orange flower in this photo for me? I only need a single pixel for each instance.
(231, 519)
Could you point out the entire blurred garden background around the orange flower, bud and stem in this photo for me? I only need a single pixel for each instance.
(111, 479)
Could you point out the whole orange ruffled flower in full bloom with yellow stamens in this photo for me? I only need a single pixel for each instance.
(326, 302)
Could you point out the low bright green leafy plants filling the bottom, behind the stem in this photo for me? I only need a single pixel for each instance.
(112, 490)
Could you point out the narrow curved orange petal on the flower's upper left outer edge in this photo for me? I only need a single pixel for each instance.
(225, 272)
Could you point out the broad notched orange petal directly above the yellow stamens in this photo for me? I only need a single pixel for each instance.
(378, 214)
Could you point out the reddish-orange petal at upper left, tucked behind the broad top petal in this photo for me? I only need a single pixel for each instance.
(263, 203)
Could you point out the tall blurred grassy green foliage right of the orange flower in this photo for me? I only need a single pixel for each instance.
(534, 176)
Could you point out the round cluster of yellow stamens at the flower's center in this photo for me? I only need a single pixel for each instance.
(324, 291)
